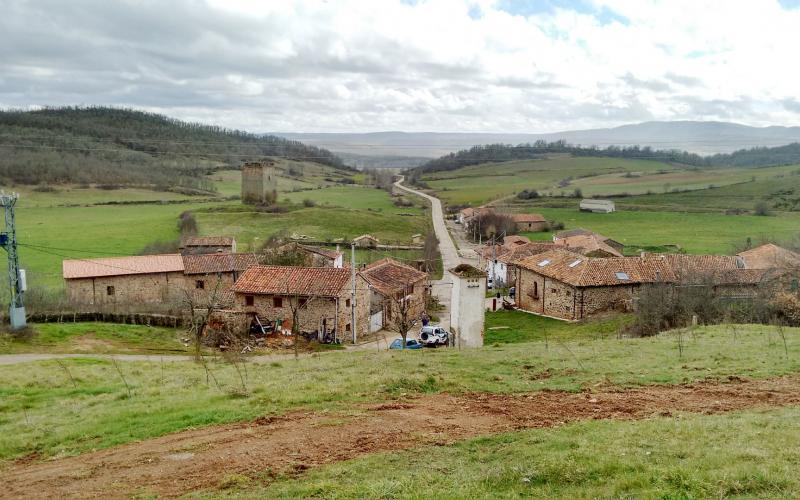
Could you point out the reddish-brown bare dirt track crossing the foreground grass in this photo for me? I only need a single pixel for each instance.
(192, 460)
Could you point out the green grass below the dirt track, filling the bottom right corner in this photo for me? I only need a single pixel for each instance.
(747, 454)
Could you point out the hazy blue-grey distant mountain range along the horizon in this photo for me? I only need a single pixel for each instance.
(693, 136)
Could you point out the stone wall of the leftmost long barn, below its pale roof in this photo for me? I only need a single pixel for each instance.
(128, 290)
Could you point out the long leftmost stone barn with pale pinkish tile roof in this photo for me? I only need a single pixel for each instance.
(124, 282)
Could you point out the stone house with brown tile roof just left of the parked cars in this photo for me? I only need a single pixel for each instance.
(395, 288)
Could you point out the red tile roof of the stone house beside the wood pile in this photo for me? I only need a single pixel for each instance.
(305, 281)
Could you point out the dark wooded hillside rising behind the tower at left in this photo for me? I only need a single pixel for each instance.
(112, 146)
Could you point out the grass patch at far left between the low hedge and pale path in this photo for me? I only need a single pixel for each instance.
(96, 338)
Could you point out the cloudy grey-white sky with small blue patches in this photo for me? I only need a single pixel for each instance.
(370, 65)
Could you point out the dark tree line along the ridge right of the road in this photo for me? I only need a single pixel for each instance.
(753, 157)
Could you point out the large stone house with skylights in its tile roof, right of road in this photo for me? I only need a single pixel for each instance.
(571, 286)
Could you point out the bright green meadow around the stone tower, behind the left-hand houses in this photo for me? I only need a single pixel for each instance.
(77, 221)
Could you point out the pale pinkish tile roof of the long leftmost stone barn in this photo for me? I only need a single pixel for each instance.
(119, 266)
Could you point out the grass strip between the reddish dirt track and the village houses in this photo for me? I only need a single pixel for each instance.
(76, 405)
